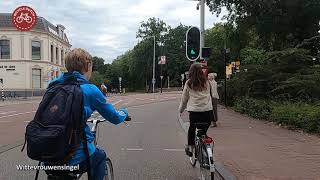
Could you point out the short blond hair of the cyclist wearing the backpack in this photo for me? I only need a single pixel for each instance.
(76, 60)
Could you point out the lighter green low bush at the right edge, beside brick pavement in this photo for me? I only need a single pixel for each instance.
(298, 115)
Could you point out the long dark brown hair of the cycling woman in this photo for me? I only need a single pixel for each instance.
(197, 79)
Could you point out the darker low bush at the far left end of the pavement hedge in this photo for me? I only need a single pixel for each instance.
(255, 108)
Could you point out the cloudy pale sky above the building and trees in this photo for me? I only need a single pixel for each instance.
(107, 28)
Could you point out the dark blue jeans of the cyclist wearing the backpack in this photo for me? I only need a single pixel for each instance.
(97, 164)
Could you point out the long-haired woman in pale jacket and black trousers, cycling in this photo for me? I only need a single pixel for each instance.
(197, 100)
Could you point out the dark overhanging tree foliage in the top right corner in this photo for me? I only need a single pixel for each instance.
(279, 24)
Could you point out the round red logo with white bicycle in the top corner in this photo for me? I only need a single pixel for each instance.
(24, 18)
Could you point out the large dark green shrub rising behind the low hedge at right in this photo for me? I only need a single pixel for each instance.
(287, 75)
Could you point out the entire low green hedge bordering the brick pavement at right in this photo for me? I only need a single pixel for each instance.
(292, 115)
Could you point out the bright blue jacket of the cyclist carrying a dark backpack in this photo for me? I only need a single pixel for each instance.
(94, 100)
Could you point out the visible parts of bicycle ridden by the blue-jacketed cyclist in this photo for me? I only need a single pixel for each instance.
(76, 175)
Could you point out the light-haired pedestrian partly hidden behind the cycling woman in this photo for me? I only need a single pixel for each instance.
(215, 97)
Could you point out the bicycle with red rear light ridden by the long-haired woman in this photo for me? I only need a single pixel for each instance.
(203, 152)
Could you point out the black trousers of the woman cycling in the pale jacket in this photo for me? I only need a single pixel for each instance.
(198, 117)
